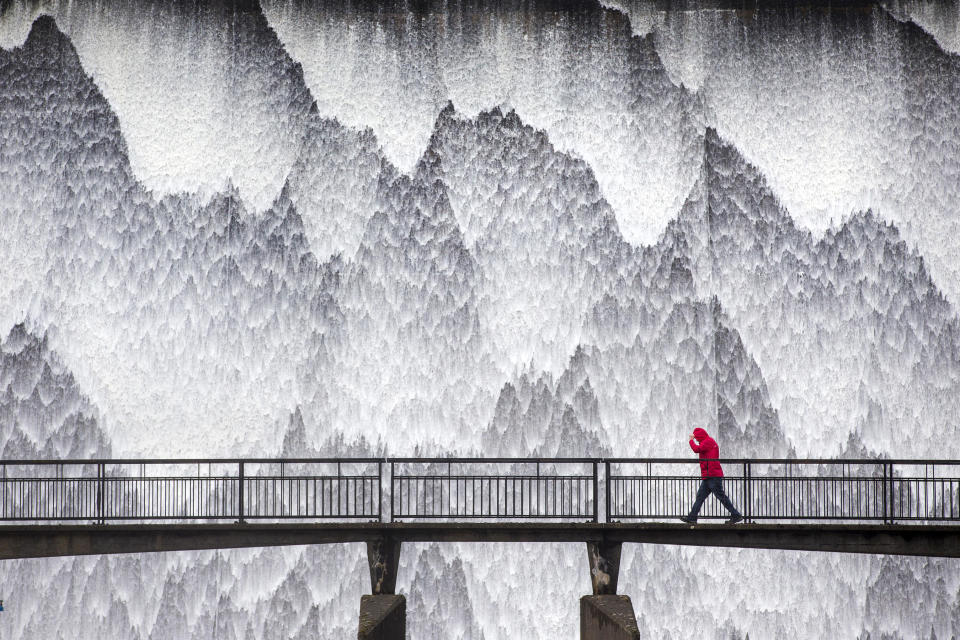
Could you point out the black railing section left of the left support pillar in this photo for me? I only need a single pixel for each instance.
(207, 489)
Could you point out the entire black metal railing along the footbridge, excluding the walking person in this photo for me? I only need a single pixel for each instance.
(472, 490)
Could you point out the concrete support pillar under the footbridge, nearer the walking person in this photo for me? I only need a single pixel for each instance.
(605, 615)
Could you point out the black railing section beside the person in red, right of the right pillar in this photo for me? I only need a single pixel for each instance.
(789, 490)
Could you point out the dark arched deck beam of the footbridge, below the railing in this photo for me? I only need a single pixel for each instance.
(26, 541)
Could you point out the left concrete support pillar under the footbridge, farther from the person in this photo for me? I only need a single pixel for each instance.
(383, 615)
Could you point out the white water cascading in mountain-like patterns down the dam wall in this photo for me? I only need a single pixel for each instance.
(541, 228)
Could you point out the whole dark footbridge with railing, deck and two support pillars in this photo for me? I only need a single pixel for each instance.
(78, 507)
